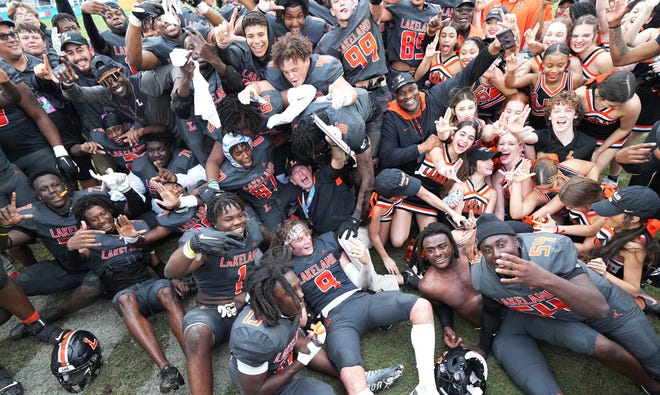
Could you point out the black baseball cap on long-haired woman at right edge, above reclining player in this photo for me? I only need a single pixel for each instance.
(635, 200)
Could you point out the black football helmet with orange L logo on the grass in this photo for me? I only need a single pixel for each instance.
(76, 360)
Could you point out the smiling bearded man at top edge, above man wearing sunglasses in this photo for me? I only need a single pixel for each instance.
(111, 42)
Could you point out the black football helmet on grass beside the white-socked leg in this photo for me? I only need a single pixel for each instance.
(460, 371)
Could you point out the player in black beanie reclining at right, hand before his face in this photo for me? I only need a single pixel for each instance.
(535, 287)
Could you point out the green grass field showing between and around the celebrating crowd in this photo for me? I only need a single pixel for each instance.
(128, 370)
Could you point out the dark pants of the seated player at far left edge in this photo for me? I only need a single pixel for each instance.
(49, 277)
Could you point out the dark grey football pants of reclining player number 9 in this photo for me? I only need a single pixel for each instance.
(358, 314)
